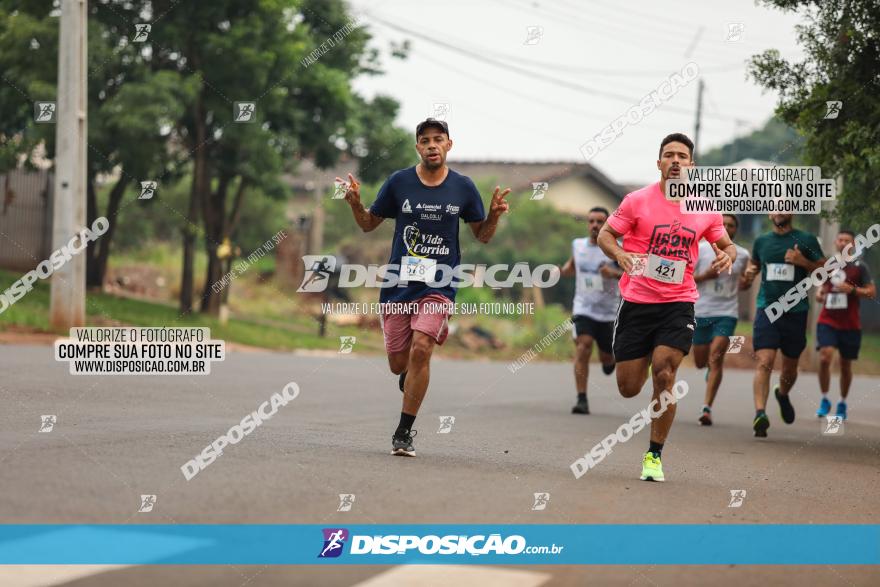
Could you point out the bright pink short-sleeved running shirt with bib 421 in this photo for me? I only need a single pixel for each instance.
(652, 224)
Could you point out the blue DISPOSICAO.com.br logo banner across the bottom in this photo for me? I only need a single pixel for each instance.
(484, 544)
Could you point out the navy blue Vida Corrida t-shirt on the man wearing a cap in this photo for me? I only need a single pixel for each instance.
(427, 221)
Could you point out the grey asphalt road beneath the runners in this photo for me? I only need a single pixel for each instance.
(118, 437)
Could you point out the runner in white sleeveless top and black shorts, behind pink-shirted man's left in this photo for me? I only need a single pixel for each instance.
(596, 297)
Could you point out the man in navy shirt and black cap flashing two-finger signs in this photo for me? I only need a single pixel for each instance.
(427, 201)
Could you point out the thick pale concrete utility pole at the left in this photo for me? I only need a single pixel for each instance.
(67, 302)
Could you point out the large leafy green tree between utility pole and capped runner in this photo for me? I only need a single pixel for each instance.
(264, 52)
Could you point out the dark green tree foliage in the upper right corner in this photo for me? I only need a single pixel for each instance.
(841, 61)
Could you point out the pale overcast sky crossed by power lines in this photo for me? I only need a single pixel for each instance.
(509, 100)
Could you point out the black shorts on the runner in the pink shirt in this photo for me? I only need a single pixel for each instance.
(640, 328)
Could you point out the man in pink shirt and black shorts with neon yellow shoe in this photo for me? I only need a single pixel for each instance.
(655, 319)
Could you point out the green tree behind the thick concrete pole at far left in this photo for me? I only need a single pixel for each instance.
(130, 109)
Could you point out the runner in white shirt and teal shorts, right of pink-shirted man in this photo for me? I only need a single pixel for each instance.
(716, 311)
